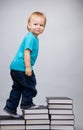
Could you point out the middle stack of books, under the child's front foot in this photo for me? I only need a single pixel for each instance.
(36, 118)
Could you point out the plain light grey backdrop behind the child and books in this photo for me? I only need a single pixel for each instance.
(59, 67)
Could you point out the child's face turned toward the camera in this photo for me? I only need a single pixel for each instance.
(36, 25)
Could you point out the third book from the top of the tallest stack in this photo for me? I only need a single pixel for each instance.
(60, 111)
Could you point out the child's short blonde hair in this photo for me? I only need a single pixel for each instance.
(39, 14)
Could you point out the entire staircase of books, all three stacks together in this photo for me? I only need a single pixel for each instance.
(58, 114)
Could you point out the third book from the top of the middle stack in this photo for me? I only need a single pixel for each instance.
(38, 121)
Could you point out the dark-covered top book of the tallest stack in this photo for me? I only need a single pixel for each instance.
(62, 100)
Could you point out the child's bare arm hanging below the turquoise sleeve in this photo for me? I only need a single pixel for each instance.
(28, 70)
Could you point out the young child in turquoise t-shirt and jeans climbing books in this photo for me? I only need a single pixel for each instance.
(21, 68)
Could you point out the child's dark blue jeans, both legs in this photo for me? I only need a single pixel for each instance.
(24, 88)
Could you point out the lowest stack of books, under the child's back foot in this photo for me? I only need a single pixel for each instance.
(9, 123)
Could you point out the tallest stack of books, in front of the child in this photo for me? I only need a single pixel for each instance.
(61, 113)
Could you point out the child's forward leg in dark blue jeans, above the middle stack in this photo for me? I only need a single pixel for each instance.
(28, 91)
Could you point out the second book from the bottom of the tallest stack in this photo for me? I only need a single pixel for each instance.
(62, 122)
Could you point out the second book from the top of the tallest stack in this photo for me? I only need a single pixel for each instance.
(60, 106)
